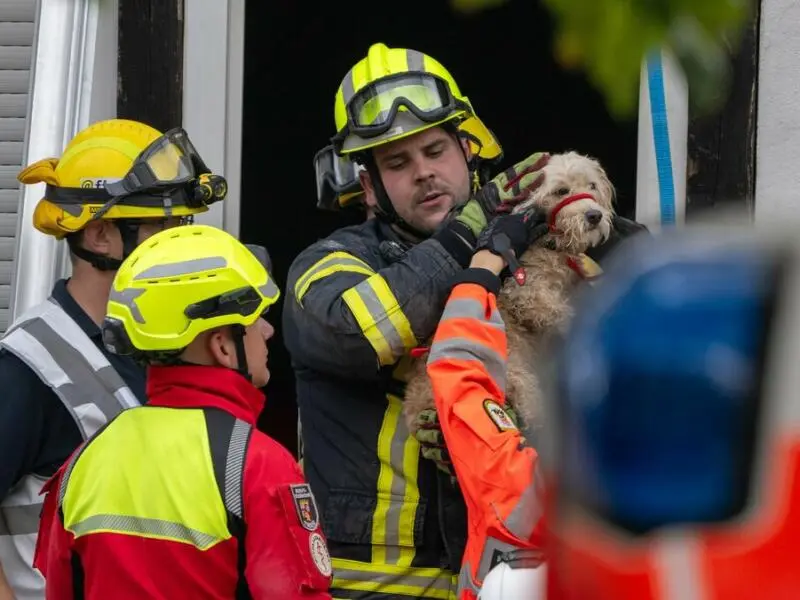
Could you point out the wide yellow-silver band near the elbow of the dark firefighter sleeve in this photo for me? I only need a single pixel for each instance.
(380, 318)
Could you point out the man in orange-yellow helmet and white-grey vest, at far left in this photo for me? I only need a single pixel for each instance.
(117, 183)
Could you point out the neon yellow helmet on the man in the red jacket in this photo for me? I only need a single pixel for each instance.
(182, 282)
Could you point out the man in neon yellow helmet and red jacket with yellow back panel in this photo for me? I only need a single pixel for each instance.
(184, 497)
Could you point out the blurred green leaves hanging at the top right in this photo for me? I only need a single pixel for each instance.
(608, 39)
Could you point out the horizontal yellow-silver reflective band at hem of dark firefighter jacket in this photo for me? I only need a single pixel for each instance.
(423, 582)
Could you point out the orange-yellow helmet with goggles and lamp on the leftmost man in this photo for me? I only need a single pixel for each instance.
(107, 154)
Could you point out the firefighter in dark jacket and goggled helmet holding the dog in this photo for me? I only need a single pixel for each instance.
(358, 301)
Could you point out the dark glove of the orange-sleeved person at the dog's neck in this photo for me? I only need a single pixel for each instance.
(508, 236)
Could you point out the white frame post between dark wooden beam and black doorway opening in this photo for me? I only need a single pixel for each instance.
(213, 73)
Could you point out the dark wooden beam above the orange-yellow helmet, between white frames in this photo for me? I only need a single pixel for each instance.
(150, 62)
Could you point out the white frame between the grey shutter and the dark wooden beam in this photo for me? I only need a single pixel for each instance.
(74, 82)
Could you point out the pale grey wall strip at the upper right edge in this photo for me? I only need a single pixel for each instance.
(778, 135)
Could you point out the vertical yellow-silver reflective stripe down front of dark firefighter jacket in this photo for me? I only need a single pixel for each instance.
(398, 492)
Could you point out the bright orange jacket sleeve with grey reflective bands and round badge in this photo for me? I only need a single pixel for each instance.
(496, 470)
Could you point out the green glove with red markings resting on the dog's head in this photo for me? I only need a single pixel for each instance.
(513, 185)
